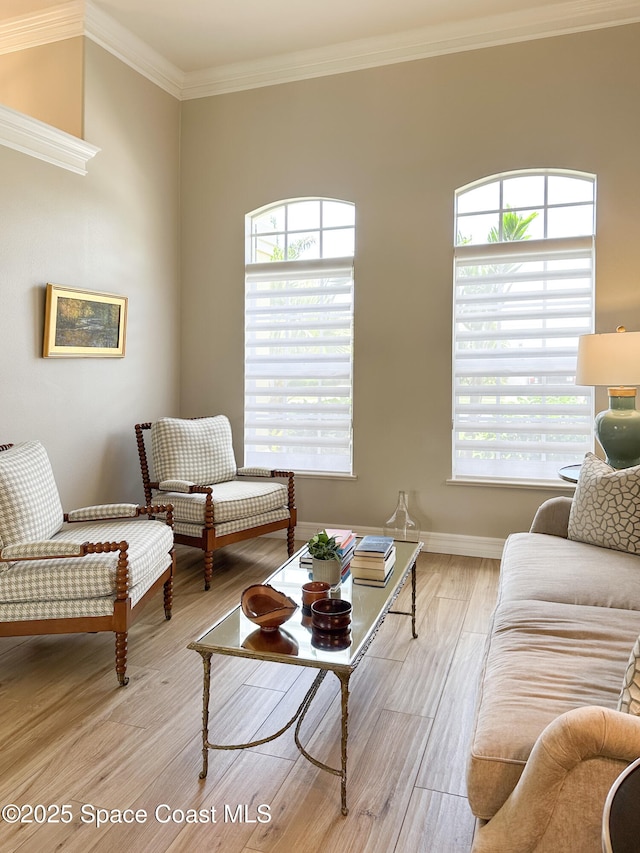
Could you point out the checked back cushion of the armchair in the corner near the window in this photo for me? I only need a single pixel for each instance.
(199, 450)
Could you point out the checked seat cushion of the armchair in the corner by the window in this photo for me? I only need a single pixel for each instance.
(232, 501)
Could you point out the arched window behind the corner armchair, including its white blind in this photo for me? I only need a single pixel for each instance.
(299, 336)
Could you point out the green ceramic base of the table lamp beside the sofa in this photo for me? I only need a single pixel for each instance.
(618, 429)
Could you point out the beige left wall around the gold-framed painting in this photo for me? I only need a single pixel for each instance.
(115, 229)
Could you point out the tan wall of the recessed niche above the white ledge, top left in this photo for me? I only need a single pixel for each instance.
(46, 83)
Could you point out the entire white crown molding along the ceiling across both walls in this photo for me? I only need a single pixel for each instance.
(78, 17)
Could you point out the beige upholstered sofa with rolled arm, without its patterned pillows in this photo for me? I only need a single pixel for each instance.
(548, 742)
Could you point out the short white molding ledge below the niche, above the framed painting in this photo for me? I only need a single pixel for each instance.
(33, 137)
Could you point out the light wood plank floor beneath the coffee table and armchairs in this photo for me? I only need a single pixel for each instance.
(69, 735)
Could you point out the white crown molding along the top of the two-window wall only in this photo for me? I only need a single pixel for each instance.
(570, 17)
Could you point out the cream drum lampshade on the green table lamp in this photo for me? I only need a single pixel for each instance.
(609, 359)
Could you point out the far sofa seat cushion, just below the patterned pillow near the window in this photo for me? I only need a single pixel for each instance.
(548, 568)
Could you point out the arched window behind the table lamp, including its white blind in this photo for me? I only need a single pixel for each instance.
(523, 293)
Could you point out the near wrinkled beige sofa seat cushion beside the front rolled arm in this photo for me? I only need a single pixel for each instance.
(543, 658)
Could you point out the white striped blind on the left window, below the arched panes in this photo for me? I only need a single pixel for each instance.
(298, 364)
